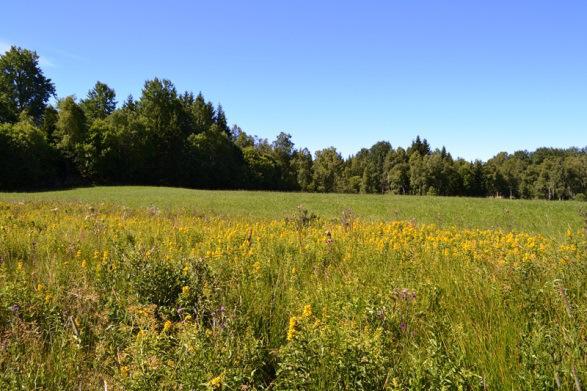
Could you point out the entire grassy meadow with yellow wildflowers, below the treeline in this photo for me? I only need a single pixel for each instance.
(153, 288)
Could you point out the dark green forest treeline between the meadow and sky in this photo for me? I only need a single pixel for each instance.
(181, 139)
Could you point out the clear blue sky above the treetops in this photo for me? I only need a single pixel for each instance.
(476, 76)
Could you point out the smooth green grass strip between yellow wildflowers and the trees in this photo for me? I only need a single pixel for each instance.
(544, 217)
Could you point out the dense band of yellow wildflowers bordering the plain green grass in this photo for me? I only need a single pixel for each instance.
(251, 242)
